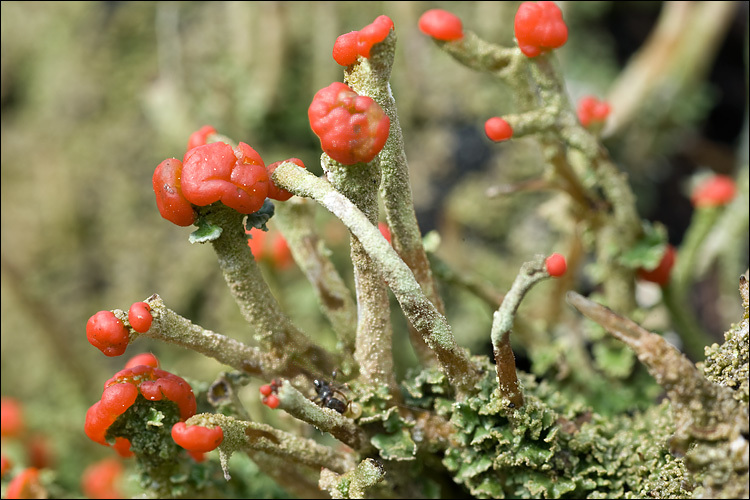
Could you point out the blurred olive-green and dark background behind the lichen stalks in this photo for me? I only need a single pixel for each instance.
(94, 95)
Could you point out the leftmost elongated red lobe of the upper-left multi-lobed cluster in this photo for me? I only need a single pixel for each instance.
(171, 203)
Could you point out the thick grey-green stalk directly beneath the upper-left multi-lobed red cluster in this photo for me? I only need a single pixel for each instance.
(274, 330)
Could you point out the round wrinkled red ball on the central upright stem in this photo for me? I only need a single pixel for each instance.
(352, 128)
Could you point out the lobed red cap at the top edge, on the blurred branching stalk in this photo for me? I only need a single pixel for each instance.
(539, 28)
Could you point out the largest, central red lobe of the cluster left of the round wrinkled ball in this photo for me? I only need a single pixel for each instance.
(215, 172)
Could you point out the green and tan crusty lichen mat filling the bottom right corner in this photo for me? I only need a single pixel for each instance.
(693, 445)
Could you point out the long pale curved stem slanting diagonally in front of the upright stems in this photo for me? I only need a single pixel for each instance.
(419, 310)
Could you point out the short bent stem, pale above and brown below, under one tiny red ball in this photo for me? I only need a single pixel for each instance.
(531, 273)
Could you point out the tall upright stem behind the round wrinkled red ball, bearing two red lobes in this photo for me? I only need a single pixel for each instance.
(370, 77)
